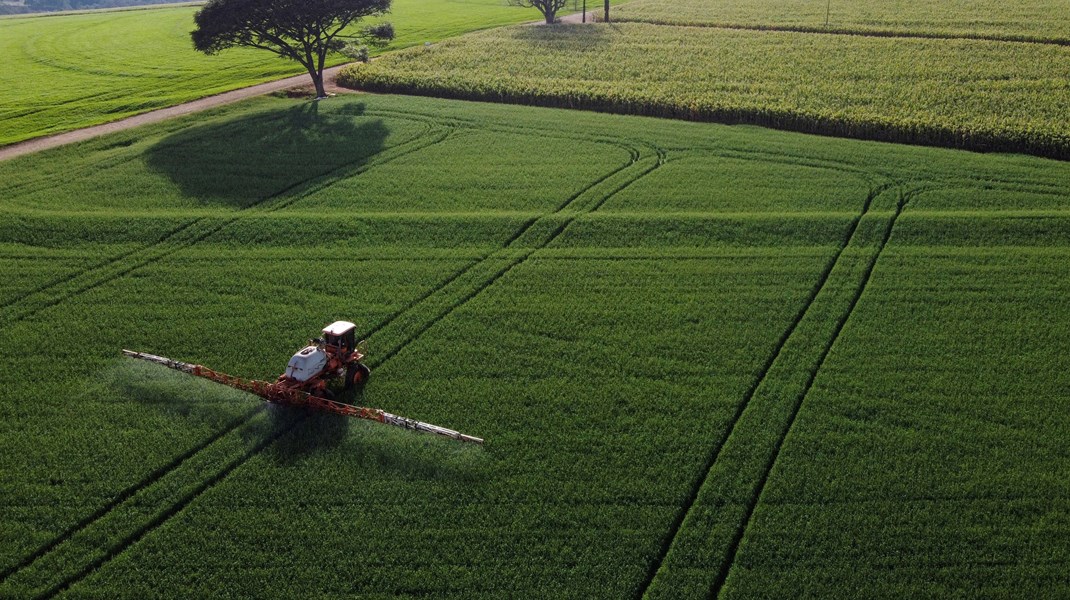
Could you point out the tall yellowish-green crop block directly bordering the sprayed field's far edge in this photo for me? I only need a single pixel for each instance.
(961, 93)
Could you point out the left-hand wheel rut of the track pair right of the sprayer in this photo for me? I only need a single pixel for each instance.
(708, 468)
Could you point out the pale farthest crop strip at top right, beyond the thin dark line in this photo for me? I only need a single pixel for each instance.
(1042, 21)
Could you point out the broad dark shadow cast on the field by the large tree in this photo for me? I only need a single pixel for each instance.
(249, 160)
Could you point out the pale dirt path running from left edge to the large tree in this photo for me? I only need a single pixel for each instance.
(38, 145)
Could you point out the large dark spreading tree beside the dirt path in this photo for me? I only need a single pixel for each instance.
(302, 30)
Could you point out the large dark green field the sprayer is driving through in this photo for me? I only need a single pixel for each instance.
(708, 360)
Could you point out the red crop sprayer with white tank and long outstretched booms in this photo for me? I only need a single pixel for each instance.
(304, 384)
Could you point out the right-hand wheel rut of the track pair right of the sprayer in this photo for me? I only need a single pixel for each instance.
(756, 499)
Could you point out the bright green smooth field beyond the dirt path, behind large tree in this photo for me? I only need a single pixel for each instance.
(68, 72)
